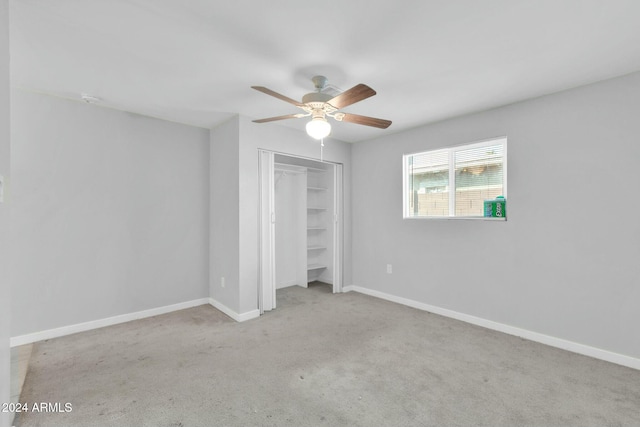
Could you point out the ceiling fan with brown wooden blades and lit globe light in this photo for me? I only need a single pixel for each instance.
(321, 105)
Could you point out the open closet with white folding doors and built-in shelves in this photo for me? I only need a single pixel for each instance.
(300, 224)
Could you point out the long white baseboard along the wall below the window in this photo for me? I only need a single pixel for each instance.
(574, 347)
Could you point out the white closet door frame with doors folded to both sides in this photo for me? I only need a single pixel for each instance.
(266, 222)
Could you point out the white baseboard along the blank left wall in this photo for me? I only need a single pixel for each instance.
(101, 323)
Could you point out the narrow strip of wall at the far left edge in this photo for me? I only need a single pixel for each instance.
(5, 295)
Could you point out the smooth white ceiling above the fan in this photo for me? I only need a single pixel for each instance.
(193, 61)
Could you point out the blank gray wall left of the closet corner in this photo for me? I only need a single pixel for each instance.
(110, 212)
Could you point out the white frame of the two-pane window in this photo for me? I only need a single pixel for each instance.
(452, 174)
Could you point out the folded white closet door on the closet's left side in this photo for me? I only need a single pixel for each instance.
(267, 273)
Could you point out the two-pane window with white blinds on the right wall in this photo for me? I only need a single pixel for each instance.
(455, 181)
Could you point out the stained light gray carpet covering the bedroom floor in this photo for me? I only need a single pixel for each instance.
(321, 360)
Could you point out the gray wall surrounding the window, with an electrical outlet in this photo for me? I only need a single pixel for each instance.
(565, 264)
